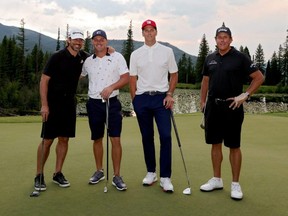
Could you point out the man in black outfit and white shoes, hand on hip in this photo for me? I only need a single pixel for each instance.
(224, 73)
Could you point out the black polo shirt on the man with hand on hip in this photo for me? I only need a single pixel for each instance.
(227, 73)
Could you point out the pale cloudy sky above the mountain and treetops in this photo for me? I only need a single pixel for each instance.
(182, 23)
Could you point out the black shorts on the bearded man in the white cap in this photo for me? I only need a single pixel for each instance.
(61, 121)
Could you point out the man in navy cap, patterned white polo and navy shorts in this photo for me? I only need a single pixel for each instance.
(107, 73)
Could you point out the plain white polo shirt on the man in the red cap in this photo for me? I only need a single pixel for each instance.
(152, 65)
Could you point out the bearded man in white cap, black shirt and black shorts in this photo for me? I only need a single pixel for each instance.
(58, 105)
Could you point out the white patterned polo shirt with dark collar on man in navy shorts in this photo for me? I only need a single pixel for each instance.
(103, 72)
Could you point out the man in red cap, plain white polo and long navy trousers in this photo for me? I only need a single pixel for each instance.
(152, 96)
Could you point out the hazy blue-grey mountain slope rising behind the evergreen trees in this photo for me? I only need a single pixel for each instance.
(48, 44)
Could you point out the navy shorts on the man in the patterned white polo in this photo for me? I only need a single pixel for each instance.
(96, 110)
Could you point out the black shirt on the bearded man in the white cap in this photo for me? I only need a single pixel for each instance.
(64, 71)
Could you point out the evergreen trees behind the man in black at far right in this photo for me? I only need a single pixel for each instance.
(275, 70)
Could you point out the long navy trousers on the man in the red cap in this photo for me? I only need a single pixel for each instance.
(148, 108)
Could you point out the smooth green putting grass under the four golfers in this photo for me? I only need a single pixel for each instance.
(263, 176)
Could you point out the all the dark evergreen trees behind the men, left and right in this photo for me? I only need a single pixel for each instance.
(20, 69)
